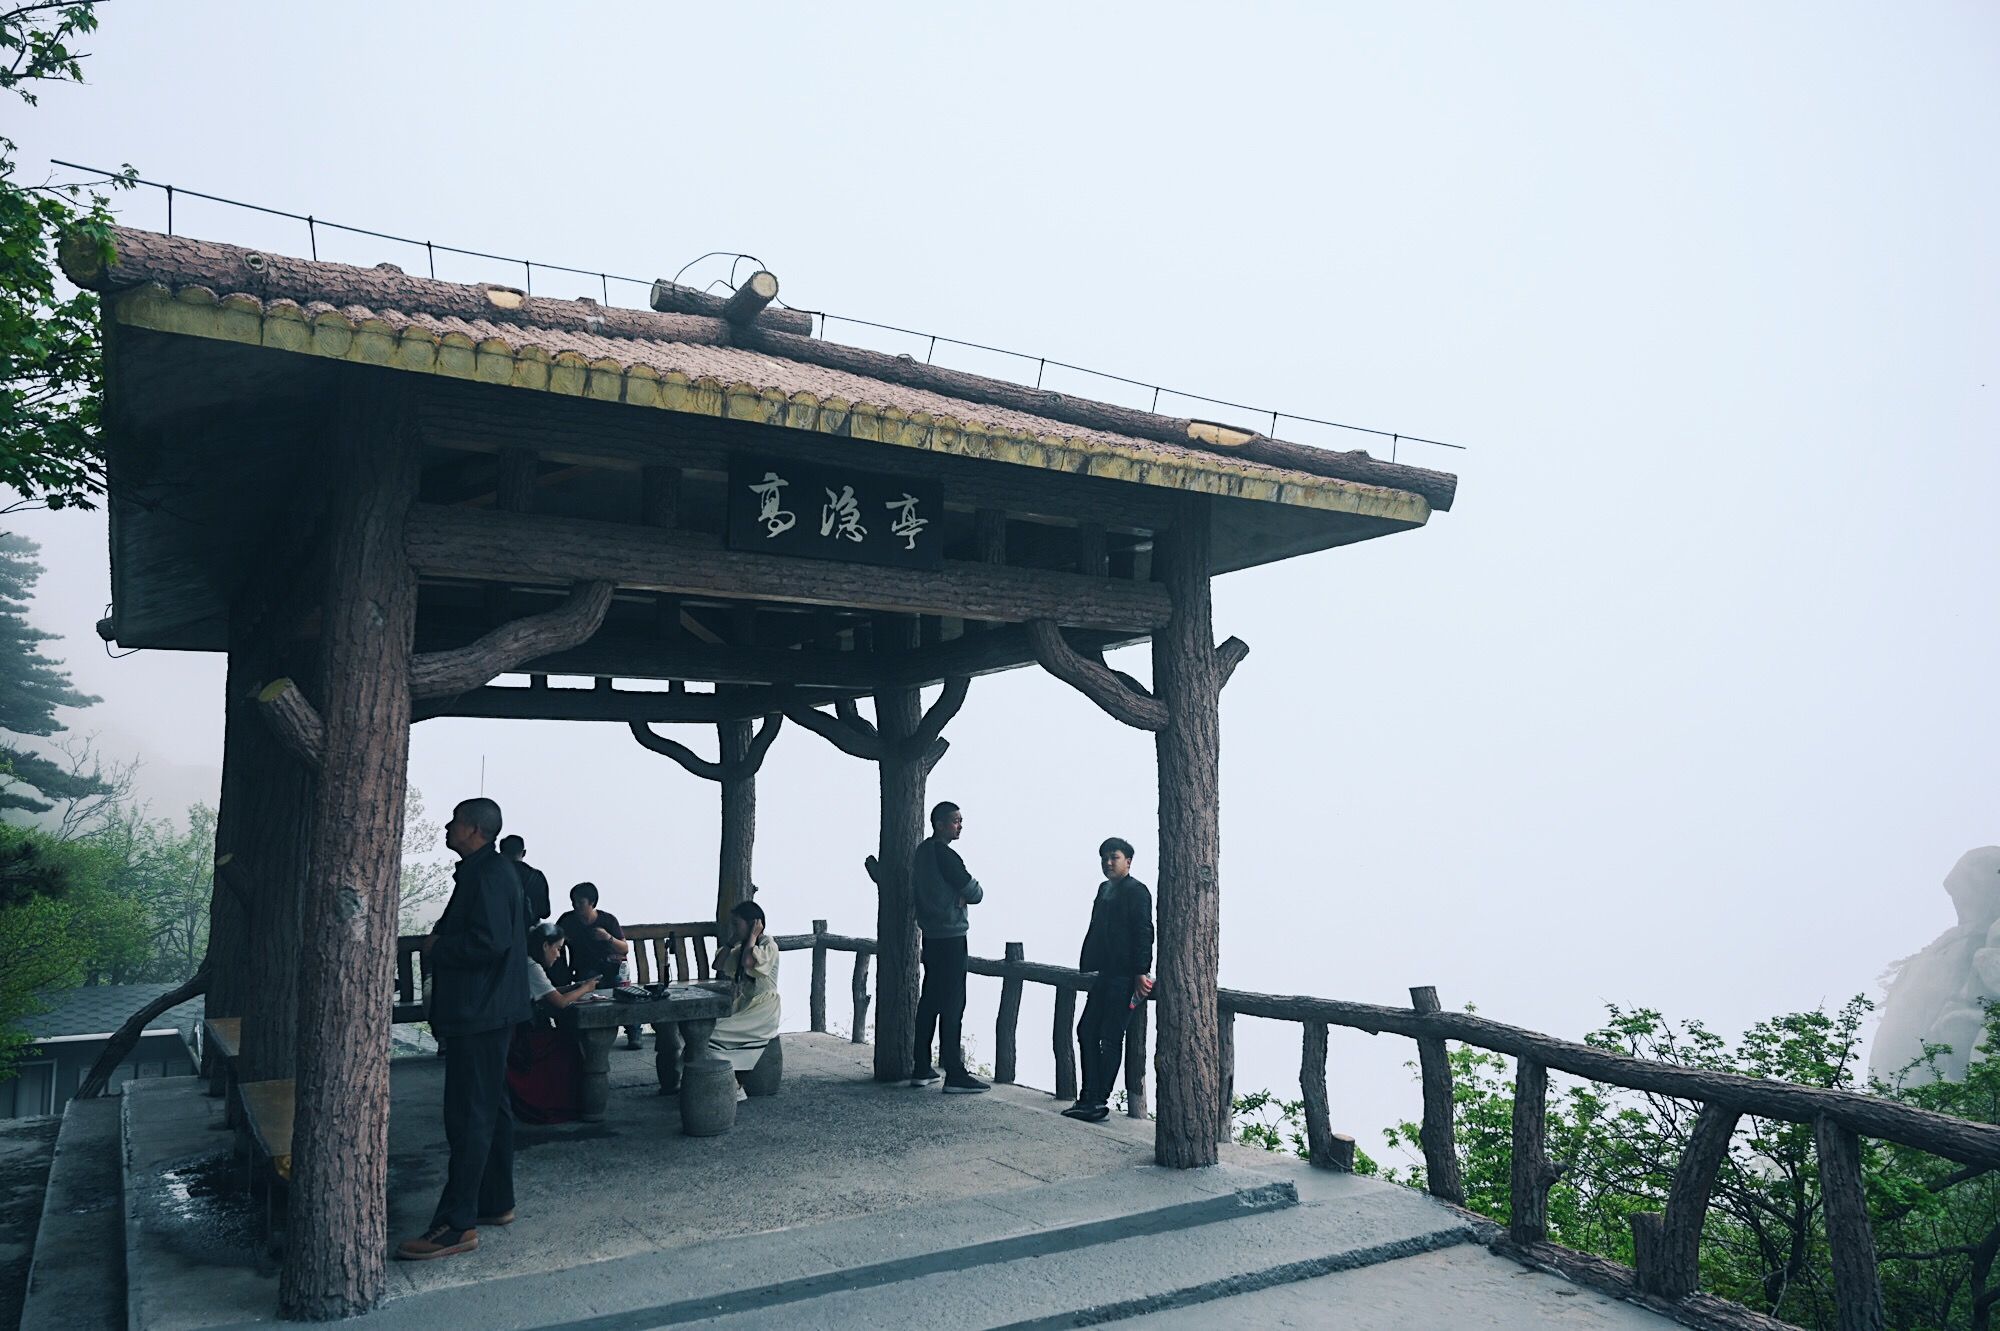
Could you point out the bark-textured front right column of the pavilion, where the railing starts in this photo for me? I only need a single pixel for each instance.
(1189, 682)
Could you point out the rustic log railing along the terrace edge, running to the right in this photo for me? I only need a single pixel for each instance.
(1665, 1244)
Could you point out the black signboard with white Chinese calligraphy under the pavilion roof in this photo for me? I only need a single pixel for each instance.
(821, 513)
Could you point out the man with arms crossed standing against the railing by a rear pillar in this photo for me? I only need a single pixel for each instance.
(943, 888)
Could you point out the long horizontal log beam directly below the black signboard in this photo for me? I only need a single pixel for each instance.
(481, 547)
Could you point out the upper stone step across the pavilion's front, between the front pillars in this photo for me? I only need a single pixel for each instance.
(765, 1280)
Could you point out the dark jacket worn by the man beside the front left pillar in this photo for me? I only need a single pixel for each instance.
(481, 952)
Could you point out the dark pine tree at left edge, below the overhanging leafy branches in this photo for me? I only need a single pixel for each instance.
(31, 690)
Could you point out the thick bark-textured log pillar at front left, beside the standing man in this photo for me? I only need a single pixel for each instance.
(339, 1204)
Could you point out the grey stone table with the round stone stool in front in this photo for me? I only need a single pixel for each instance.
(683, 1020)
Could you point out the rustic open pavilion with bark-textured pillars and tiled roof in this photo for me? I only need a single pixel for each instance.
(381, 493)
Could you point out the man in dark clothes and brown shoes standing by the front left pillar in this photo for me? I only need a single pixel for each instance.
(479, 996)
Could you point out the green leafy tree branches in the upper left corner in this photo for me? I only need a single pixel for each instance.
(51, 355)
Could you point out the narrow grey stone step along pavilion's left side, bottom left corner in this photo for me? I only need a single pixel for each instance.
(77, 1278)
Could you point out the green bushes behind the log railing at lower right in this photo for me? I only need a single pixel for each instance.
(1765, 1242)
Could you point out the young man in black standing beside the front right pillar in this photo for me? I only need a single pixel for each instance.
(1119, 948)
